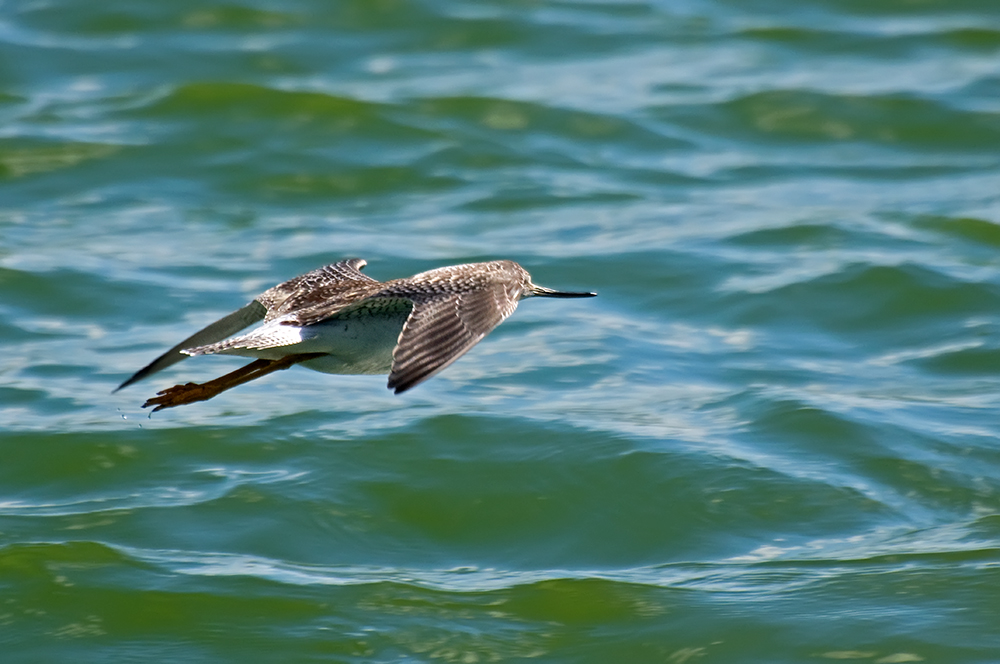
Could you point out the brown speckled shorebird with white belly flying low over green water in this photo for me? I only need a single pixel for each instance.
(338, 320)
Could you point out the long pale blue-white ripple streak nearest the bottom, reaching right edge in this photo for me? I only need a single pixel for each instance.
(768, 569)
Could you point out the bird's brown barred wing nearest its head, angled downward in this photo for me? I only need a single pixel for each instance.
(442, 327)
